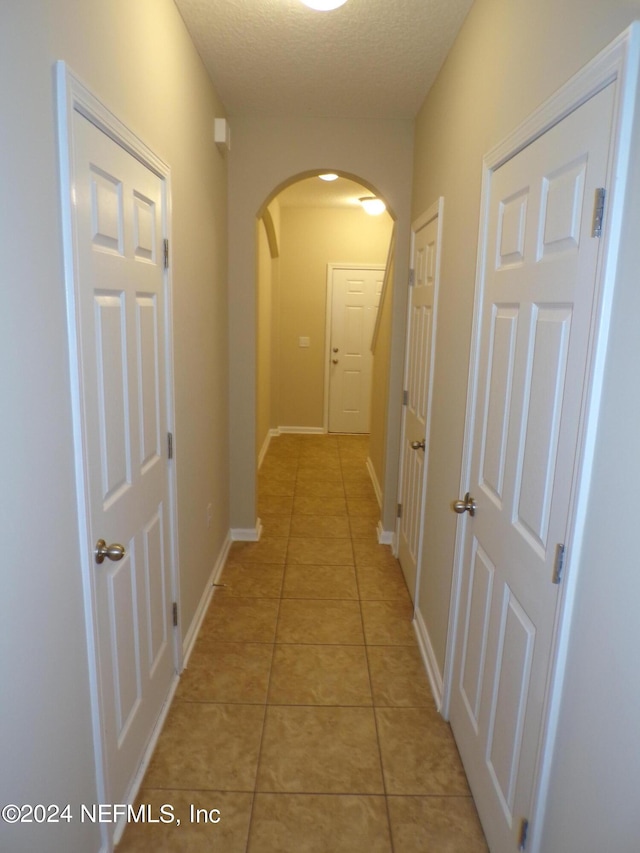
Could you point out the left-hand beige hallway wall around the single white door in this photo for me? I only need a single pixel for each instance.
(138, 59)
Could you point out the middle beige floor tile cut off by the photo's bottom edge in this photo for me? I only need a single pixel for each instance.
(308, 823)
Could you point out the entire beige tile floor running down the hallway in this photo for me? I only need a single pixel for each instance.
(304, 715)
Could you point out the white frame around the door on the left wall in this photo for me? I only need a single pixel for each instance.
(73, 96)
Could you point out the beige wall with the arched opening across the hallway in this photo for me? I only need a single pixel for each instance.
(266, 154)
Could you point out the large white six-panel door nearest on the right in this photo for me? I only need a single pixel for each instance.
(536, 317)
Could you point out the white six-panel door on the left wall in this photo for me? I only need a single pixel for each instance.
(118, 220)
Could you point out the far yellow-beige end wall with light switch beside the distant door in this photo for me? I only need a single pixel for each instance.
(311, 238)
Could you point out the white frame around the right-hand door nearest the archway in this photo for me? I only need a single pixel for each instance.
(436, 210)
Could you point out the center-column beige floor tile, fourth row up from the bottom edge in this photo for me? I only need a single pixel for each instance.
(320, 622)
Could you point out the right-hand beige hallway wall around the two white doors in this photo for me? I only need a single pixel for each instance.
(509, 57)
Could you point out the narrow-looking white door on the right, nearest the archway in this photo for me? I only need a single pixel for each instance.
(417, 383)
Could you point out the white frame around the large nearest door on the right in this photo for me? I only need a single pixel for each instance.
(617, 64)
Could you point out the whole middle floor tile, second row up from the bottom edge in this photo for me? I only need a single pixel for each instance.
(319, 750)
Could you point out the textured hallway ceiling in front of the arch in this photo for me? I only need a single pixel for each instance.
(368, 59)
